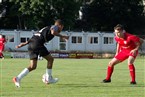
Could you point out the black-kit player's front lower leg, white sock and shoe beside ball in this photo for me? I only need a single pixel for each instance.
(50, 60)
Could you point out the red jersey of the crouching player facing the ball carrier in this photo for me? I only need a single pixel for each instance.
(128, 43)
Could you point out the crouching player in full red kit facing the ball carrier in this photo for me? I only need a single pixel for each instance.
(127, 48)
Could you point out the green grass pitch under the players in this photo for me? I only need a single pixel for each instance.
(77, 78)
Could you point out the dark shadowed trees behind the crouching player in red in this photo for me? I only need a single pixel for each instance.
(104, 14)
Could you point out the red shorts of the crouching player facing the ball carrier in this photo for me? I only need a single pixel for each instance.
(124, 54)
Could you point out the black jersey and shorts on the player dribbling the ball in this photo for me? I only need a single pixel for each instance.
(36, 43)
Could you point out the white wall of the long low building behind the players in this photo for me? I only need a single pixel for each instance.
(54, 44)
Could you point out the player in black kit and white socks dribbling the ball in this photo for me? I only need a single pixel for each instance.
(36, 47)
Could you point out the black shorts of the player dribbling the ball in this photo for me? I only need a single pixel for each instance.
(36, 48)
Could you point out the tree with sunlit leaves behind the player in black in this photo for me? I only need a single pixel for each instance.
(39, 13)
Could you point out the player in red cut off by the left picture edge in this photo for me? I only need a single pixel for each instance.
(2, 45)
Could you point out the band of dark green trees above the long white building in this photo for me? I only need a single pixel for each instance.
(100, 15)
